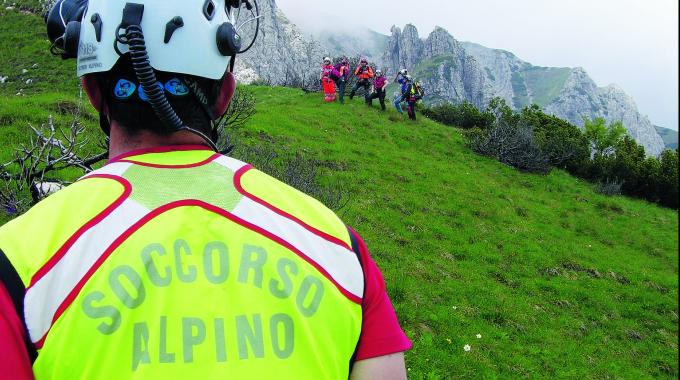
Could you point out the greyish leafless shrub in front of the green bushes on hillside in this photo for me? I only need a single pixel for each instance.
(511, 145)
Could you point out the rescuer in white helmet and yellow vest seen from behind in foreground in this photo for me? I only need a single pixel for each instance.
(173, 261)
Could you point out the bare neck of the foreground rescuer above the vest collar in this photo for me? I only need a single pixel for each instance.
(122, 142)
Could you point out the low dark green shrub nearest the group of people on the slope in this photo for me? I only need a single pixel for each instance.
(464, 115)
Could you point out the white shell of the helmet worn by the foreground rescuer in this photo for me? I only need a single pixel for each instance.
(191, 50)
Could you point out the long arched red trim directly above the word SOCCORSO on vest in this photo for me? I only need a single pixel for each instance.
(170, 206)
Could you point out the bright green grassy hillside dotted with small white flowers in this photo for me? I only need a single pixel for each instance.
(558, 280)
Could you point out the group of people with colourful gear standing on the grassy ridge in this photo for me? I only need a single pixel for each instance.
(334, 79)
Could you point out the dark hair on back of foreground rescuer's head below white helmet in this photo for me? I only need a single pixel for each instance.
(135, 115)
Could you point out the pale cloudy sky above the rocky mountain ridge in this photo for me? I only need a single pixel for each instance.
(633, 43)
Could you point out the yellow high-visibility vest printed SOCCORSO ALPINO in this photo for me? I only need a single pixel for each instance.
(186, 264)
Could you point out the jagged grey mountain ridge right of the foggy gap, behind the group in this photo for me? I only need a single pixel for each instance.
(455, 71)
